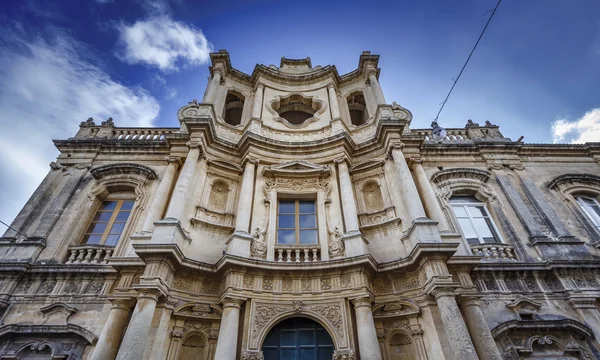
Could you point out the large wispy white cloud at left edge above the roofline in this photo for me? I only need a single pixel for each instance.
(47, 87)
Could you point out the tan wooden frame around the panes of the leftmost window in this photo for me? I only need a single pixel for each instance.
(120, 198)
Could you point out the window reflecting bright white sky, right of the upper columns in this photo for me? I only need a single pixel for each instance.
(476, 224)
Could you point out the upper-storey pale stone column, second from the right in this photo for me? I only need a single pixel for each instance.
(408, 189)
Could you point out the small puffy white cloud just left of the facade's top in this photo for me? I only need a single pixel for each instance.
(163, 43)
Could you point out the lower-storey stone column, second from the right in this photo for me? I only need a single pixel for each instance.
(454, 325)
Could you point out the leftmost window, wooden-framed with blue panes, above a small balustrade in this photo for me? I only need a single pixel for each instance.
(108, 223)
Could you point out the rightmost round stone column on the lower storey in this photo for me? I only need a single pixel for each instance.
(480, 332)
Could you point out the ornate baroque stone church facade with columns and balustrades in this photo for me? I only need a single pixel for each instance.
(295, 214)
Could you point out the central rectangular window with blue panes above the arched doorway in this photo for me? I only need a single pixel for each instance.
(297, 222)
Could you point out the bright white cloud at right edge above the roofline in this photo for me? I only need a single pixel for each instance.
(584, 129)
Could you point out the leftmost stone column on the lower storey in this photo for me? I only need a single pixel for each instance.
(110, 337)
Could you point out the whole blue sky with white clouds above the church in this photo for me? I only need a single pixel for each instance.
(536, 72)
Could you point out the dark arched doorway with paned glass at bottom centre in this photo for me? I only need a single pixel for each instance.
(298, 339)
